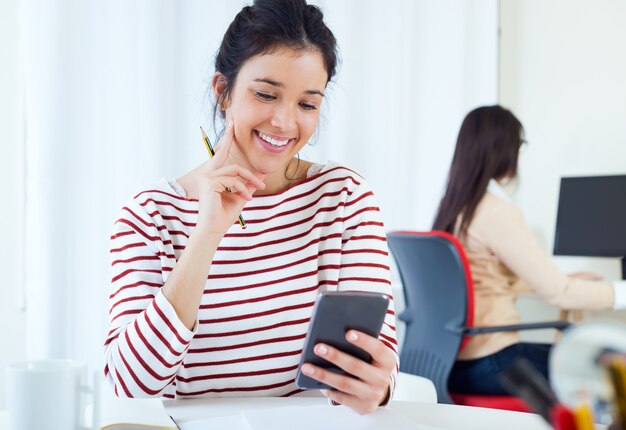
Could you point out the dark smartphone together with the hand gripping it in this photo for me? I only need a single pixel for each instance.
(342, 354)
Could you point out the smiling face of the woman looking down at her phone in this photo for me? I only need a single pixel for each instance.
(275, 104)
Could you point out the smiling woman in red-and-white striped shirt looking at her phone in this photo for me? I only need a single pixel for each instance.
(201, 307)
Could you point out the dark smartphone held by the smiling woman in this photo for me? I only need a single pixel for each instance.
(334, 313)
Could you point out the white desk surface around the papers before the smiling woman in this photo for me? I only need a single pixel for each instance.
(450, 417)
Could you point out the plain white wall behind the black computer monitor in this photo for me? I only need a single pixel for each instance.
(563, 73)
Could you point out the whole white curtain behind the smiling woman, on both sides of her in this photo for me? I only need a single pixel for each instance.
(114, 92)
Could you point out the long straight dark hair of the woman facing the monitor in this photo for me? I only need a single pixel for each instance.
(487, 148)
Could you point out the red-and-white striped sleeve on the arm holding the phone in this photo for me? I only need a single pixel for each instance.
(365, 259)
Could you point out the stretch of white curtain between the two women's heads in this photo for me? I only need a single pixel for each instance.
(410, 72)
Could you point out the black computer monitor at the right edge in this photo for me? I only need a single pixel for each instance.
(591, 219)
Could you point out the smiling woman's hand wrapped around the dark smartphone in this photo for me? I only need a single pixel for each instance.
(365, 394)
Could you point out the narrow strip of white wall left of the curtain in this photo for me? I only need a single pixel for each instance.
(11, 317)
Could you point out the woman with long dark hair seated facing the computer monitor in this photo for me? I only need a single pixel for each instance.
(505, 258)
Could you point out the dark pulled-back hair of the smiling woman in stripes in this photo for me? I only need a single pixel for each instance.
(268, 25)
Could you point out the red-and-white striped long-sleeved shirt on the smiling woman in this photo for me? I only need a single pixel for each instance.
(324, 233)
